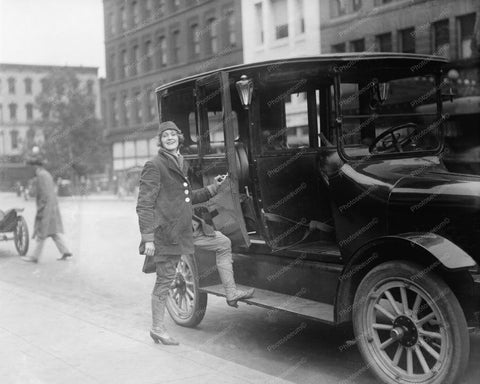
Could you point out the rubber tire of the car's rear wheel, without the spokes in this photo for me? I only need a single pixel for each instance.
(199, 301)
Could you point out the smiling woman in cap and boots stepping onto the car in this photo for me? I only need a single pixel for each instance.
(164, 209)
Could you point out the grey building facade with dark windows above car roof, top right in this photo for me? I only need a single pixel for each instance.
(441, 27)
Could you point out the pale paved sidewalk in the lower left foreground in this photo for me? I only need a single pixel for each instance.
(43, 341)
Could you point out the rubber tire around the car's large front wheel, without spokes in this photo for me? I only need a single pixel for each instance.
(447, 303)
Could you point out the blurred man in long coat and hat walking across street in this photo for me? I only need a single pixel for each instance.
(48, 221)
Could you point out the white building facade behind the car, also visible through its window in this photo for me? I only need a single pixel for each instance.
(278, 29)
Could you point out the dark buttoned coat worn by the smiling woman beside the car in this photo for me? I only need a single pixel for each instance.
(164, 207)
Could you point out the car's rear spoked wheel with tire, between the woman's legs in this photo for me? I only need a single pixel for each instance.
(185, 303)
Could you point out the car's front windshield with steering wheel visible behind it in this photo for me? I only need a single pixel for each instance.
(385, 116)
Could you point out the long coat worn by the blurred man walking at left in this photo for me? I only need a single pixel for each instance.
(48, 220)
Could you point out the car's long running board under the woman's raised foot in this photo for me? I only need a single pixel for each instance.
(280, 302)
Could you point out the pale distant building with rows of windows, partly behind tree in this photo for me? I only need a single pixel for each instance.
(20, 85)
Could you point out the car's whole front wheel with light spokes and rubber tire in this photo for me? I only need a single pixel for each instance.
(410, 330)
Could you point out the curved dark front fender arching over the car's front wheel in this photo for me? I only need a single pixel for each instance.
(436, 251)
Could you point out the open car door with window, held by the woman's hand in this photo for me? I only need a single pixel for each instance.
(218, 128)
